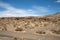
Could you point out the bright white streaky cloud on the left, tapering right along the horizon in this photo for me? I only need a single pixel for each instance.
(11, 11)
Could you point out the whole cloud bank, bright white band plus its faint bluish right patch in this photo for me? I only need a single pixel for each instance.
(12, 11)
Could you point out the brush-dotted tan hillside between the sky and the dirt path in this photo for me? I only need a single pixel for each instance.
(49, 24)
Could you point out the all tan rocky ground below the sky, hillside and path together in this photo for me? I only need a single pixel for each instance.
(30, 28)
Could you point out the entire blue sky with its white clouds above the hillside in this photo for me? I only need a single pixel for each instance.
(10, 8)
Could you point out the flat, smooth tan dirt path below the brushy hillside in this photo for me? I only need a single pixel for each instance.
(26, 36)
